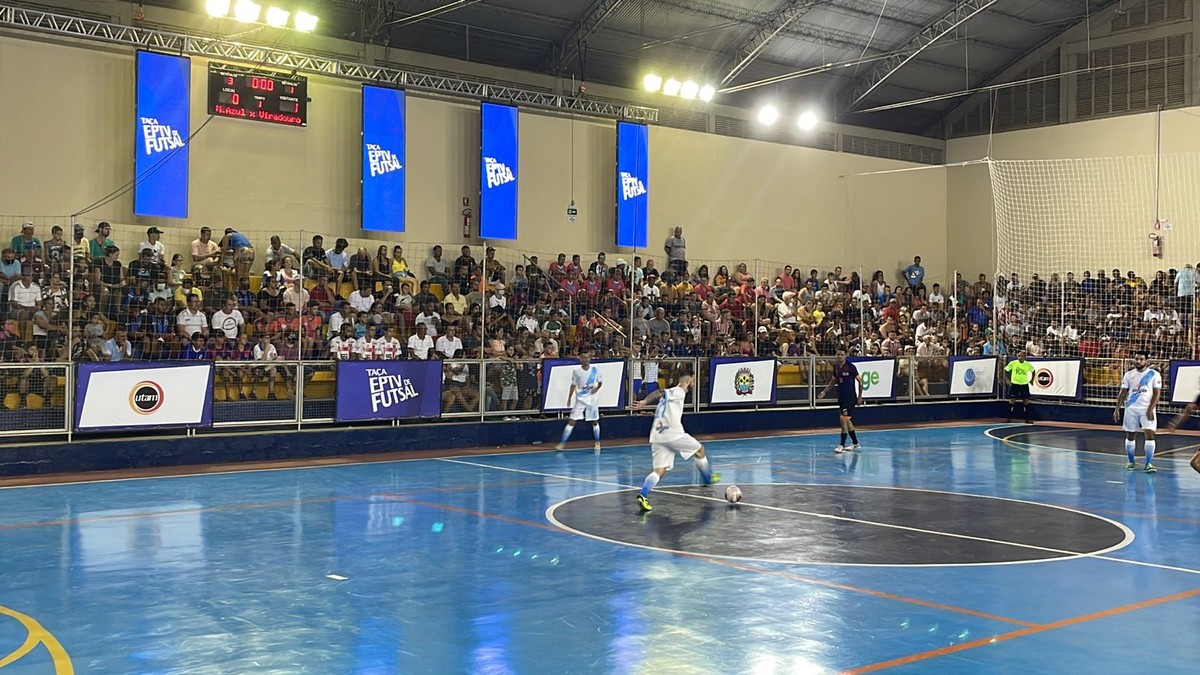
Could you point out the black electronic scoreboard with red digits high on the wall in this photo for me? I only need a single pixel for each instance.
(259, 97)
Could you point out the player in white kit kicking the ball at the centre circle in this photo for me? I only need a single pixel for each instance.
(669, 439)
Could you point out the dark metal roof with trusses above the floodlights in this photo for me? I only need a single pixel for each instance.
(854, 55)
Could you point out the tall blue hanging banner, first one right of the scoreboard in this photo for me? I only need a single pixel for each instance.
(383, 159)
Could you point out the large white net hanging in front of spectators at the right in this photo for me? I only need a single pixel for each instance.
(1096, 259)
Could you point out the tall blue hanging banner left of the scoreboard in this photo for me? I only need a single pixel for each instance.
(163, 127)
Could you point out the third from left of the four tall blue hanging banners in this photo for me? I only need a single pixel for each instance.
(499, 172)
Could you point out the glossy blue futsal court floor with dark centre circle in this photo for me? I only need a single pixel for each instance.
(949, 549)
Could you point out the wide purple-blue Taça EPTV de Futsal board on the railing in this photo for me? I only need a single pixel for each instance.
(382, 390)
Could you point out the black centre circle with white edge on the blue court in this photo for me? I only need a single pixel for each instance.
(843, 525)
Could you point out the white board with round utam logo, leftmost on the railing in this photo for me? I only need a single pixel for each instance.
(129, 396)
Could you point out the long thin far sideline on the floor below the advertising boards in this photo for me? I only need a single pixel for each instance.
(550, 449)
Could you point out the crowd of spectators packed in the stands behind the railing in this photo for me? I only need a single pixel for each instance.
(338, 303)
